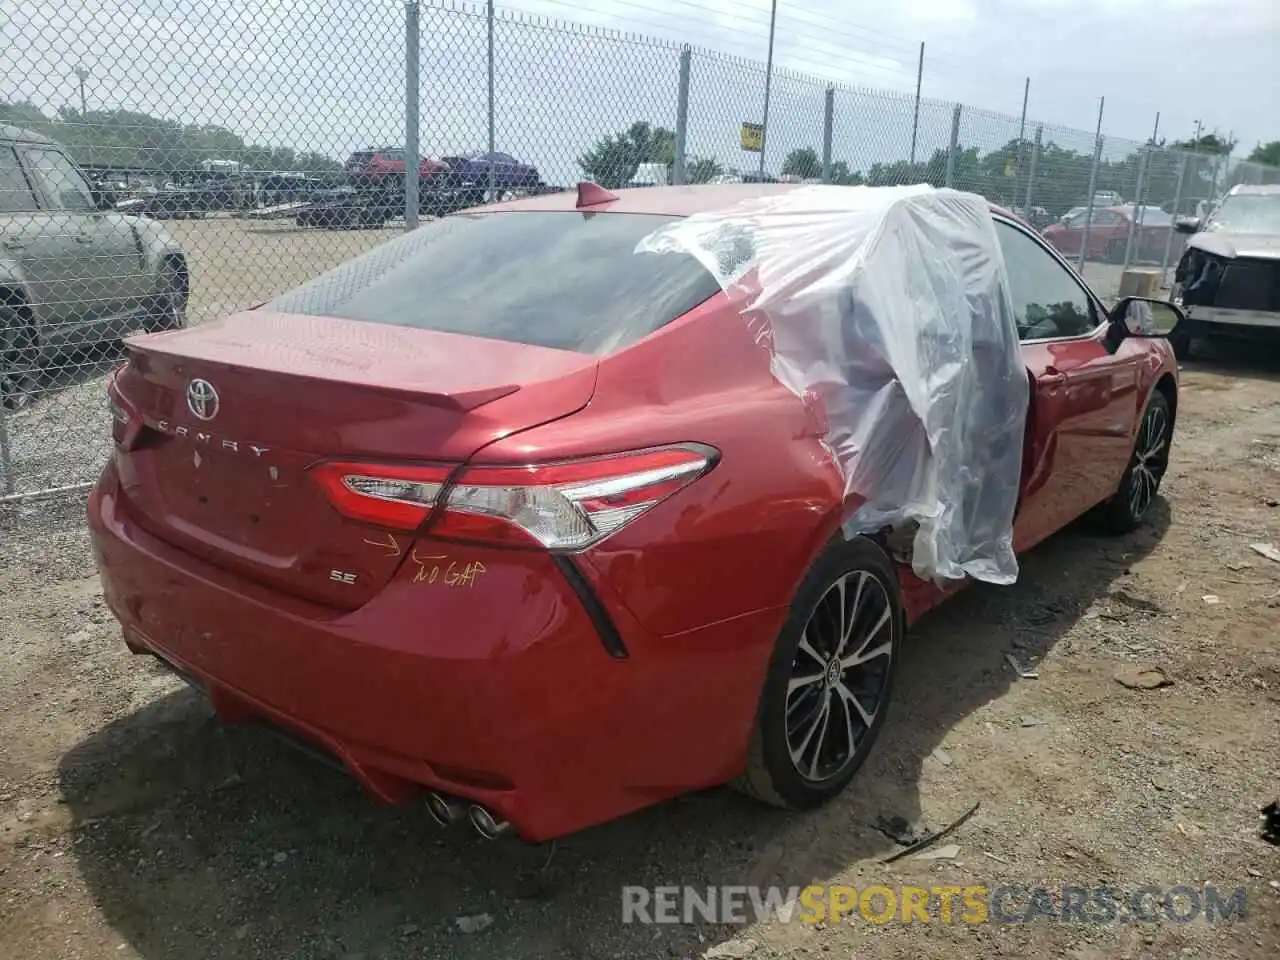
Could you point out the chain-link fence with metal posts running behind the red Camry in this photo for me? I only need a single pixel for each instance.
(163, 167)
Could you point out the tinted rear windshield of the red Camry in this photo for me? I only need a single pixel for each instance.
(559, 280)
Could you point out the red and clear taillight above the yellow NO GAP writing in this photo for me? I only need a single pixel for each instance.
(561, 506)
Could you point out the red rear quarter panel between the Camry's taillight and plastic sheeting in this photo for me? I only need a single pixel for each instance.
(739, 540)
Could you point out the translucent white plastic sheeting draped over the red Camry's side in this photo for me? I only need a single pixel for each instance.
(890, 307)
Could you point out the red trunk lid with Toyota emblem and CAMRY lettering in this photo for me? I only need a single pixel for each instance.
(222, 473)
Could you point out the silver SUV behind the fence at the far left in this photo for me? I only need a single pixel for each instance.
(74, 272)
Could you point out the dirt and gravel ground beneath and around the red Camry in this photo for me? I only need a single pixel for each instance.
(134, 826)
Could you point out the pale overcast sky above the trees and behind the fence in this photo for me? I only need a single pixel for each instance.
(328, 75)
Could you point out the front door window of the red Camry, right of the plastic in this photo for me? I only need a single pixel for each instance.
(1049, 301)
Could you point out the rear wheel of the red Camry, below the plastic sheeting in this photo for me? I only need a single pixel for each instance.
(825, 698)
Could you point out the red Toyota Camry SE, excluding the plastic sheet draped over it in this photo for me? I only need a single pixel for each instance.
(514, 522)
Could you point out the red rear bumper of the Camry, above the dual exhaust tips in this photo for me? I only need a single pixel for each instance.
(502, 694)
